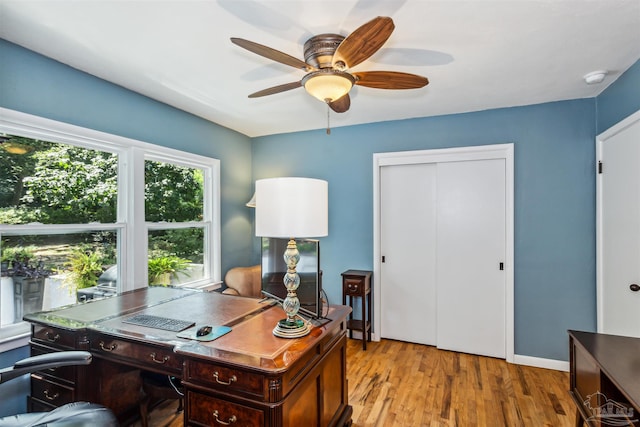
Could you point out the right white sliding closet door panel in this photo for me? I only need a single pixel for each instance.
(471, 237)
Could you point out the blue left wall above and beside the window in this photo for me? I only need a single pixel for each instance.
(37, 85)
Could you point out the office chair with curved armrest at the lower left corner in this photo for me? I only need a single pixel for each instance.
(77, 414)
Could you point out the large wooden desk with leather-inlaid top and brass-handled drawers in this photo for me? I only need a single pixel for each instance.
(247, 375)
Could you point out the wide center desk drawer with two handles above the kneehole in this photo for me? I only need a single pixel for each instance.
(146, 356)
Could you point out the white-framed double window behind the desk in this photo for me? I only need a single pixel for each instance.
(84, 212)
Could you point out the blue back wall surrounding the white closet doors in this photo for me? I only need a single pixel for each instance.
(554, 202)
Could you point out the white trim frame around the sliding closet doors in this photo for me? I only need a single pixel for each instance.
(483, 152)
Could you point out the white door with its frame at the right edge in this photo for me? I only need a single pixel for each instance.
(619, 230)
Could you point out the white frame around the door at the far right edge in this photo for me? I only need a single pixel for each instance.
(600, 140)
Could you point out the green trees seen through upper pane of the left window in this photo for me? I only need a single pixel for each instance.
(57, 184)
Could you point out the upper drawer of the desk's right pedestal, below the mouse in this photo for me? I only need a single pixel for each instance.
(226, 379)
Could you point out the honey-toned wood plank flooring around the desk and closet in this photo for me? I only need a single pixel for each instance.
(394, 383)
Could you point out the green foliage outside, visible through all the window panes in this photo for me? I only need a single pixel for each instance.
(55, 183)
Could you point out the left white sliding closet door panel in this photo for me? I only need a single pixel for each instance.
(407, 236)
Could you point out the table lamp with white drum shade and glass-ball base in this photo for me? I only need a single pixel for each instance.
(292, 208)
